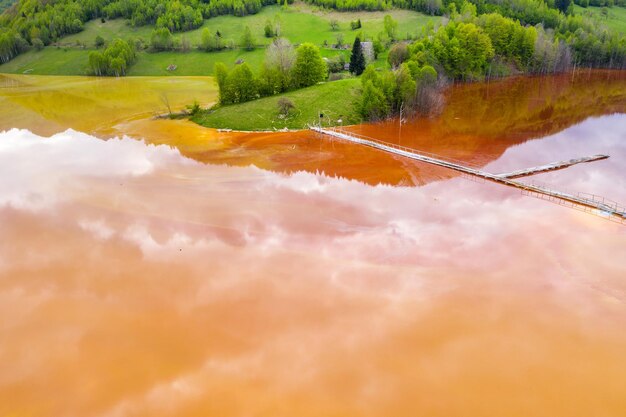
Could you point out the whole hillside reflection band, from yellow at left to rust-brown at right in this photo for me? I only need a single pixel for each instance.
(479, 122)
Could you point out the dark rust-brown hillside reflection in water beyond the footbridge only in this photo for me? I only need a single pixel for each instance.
(481, 120)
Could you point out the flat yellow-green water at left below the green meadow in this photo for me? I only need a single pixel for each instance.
(93, 105)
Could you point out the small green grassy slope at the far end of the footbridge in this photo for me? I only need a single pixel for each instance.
(337, 100)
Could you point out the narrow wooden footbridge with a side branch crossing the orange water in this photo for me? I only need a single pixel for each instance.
(586, 202)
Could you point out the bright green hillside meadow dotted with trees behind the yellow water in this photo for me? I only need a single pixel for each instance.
(299, 23)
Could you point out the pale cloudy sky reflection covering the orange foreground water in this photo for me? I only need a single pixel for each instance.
(146, 283)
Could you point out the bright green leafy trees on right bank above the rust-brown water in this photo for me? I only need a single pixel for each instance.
(473, 46)
